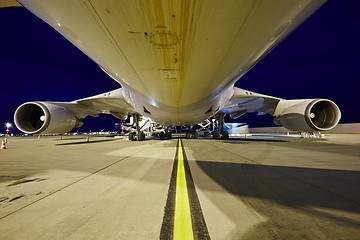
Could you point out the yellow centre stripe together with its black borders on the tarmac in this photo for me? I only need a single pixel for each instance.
(183, 218)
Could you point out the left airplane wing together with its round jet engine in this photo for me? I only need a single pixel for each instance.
(59, 117)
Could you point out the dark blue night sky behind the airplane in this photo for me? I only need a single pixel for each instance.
(319, 60)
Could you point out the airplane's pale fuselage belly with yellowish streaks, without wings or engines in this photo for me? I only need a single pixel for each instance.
(177, 61)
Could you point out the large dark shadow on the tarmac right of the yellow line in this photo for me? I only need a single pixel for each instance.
(294, 187)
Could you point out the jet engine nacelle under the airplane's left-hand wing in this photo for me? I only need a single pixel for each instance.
(45, 117)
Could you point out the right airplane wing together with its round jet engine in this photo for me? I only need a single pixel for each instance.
(296, 114)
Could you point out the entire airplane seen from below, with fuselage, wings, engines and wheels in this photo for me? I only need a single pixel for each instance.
(176, 61)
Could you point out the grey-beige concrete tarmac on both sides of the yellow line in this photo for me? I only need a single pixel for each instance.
(262, 187)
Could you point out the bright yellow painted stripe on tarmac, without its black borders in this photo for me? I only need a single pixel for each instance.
(182, 220)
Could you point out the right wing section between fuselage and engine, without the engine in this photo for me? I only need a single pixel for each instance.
(244, 101)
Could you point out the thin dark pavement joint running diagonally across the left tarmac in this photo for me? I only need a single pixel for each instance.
(70, 184)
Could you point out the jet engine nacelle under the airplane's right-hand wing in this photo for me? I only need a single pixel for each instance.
(307, 115)
